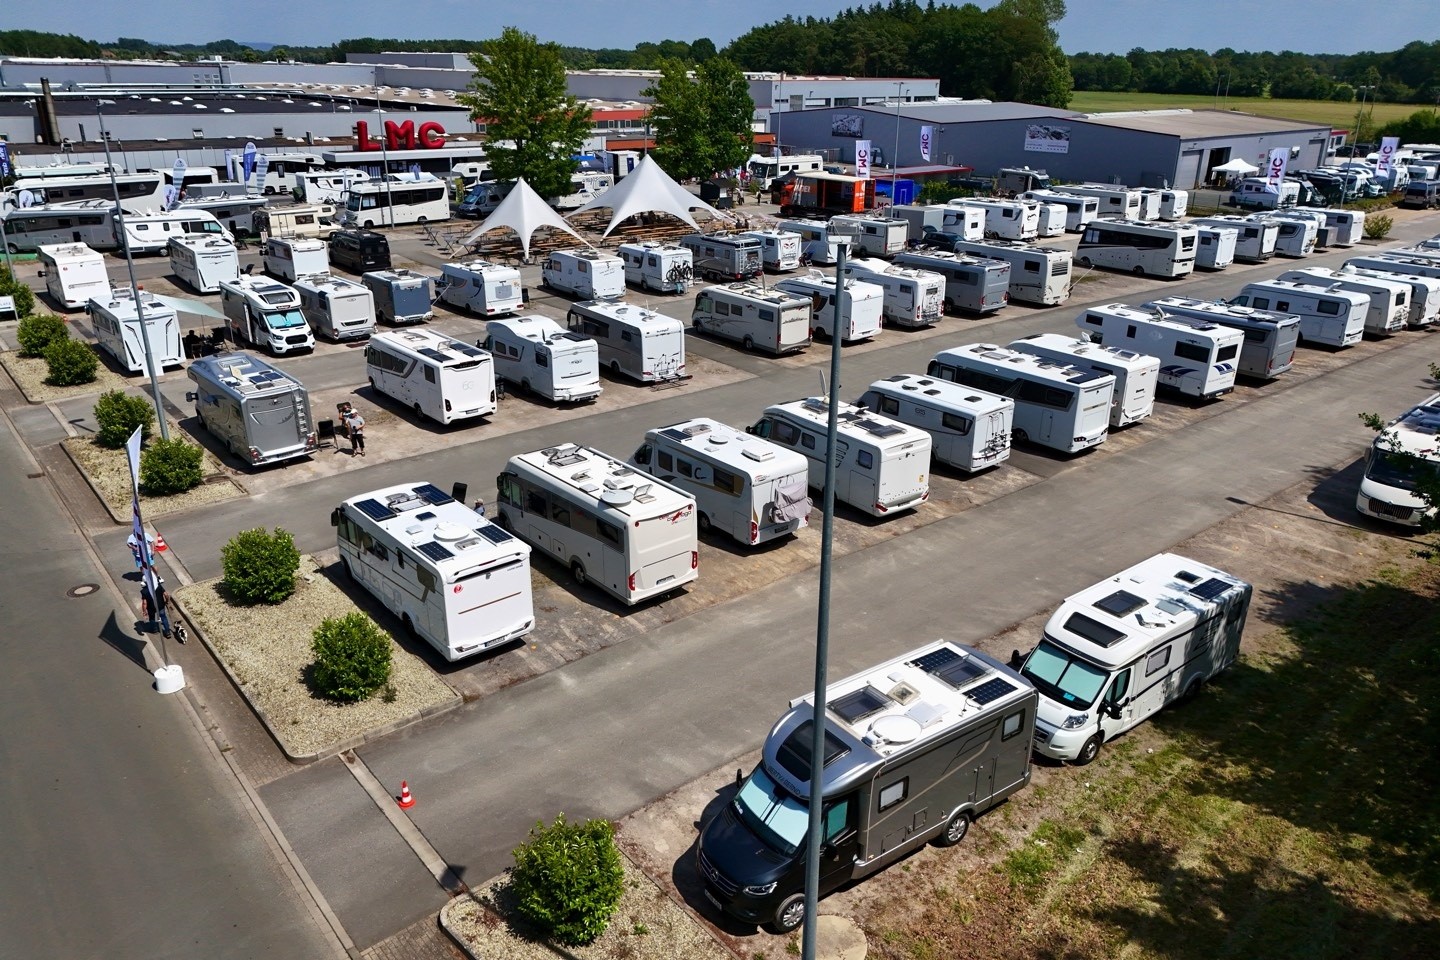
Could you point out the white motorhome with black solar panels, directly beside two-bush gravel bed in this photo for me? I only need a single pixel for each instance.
(451, 576)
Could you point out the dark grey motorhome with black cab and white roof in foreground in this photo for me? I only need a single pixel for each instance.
(917, 748)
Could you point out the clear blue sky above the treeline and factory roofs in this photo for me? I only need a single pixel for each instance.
(1101, 27)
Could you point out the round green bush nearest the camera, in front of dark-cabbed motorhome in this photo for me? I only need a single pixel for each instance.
(568, 880)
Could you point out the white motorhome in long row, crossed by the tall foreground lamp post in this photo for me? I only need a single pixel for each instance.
(882, 466)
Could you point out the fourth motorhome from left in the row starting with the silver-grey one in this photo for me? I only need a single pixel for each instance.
(634, 342)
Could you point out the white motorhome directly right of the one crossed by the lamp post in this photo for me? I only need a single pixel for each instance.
(970, 430)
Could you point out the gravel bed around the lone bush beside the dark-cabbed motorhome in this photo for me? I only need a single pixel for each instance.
(647, 926)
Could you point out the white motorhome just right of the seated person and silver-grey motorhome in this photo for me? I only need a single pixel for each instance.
(433, 375)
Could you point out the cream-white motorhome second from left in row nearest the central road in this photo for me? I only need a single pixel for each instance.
(614, 527)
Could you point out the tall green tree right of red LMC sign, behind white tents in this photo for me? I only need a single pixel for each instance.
(534, 126)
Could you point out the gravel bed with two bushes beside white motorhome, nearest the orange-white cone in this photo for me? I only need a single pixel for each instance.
(267, 648)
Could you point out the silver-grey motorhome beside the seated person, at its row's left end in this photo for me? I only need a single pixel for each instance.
(260, 414)
